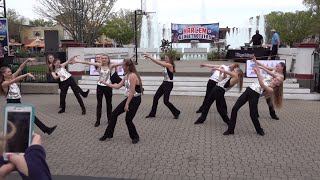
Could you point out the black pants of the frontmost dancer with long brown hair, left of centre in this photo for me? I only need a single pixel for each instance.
(133, 108)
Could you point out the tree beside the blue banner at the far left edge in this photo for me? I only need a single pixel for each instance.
(15, 20)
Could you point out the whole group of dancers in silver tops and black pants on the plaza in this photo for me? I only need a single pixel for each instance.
(222, 80)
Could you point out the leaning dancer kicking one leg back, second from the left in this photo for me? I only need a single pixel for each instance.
(67, 81)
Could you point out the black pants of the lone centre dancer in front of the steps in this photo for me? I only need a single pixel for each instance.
(165, 90)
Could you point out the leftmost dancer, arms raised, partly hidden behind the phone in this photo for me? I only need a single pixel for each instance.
(12, 90)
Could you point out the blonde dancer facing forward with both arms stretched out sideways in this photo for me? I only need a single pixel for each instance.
(105, 69)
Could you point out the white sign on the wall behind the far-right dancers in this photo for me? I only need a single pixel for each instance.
(269, 63)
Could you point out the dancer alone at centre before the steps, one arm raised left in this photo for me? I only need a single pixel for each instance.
(166, 86)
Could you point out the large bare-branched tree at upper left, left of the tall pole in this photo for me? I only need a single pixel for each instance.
(81, 18)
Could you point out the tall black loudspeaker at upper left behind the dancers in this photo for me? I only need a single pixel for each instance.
(51, 40)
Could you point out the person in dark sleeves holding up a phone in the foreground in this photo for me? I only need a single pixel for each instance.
(31, 166)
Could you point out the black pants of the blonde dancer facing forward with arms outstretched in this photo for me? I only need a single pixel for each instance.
(107, 92)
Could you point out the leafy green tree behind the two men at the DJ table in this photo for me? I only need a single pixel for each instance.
(292, 27)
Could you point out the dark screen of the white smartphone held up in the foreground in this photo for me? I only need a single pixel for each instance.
(20, 141)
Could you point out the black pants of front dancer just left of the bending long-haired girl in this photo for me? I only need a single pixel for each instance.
(216, 94)
